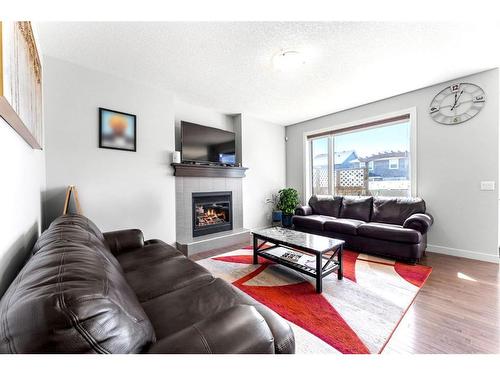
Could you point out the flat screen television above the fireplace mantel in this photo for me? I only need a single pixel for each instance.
(203, 144)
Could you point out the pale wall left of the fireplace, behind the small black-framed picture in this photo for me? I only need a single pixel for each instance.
(117, 189)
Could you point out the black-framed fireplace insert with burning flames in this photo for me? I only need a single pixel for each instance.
(212, 212)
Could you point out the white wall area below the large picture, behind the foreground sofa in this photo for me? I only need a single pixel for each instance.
(22, 185)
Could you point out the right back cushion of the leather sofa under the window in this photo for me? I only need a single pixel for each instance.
(396, 210)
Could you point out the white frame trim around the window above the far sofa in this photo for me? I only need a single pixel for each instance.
(412, 112)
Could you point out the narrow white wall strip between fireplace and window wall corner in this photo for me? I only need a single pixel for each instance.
(263, 152)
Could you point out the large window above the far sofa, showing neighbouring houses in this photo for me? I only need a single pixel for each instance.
(369, 159)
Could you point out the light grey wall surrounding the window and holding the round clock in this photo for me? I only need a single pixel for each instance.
(451, 162)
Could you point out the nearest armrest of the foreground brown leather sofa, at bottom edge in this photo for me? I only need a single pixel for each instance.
(239, 329)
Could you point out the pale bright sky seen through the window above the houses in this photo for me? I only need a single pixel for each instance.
(371, 141)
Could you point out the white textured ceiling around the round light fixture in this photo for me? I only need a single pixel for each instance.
(228, 66)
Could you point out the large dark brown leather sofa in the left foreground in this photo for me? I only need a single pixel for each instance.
(87, 292)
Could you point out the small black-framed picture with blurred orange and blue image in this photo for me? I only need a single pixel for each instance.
(117, 130)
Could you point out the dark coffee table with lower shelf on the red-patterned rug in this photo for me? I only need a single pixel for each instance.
(300, 242)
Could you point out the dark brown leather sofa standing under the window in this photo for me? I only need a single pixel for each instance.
(390, 227)
